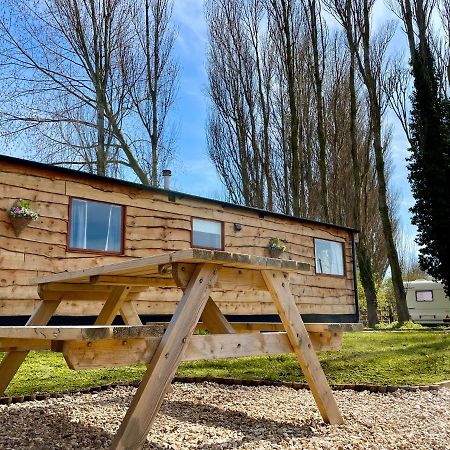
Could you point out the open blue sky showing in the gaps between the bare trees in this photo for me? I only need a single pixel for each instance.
(192, 170)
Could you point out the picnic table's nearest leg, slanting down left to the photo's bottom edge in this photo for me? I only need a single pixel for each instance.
(149, 396)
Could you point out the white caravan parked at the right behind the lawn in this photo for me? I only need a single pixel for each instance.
(427, 302)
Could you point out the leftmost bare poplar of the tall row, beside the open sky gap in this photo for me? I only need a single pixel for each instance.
(239, 85)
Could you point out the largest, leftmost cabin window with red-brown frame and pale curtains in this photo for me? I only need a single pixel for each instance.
(96, 226)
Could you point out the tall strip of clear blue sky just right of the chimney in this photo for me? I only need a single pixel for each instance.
(192, 170)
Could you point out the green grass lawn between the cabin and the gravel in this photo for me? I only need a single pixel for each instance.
(381, 357)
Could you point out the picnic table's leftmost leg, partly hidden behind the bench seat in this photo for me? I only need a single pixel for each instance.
(13, 360)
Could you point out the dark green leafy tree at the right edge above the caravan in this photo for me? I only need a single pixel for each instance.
(429, 166)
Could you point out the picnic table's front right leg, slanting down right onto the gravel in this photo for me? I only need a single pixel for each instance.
(278, 285)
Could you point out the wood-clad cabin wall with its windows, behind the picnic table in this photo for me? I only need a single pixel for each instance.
(87, 220)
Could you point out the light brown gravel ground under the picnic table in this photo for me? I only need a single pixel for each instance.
(209, 416)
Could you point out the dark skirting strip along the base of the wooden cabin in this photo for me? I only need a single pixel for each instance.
(89, 320)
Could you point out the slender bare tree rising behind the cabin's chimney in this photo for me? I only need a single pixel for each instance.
(154, 84)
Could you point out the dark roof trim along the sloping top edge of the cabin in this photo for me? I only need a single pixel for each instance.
(172, 194)
